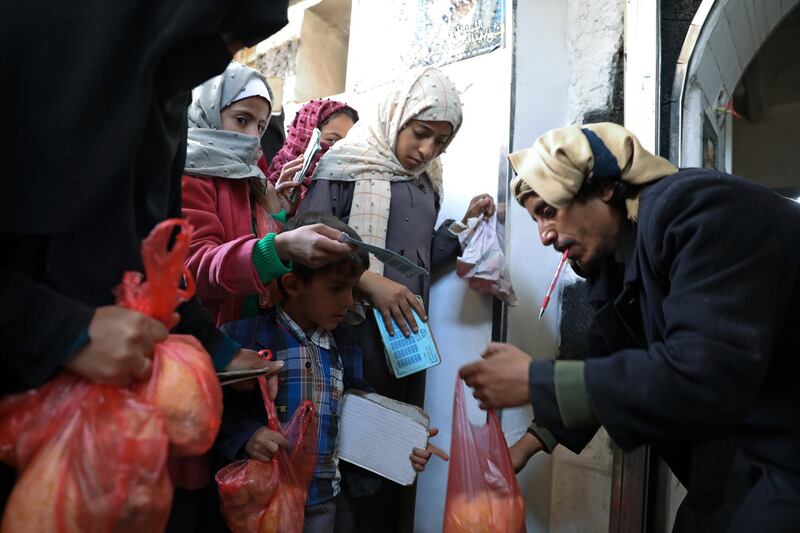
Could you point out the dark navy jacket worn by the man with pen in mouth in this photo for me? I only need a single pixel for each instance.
(695, 342)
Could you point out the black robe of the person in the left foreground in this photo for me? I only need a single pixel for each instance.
(95, 95)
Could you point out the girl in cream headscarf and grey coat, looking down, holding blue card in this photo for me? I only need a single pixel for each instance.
(385, 180)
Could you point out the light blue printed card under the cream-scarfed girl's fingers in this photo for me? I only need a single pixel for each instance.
(407, 355)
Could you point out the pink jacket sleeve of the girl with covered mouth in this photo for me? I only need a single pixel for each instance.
(220, 268)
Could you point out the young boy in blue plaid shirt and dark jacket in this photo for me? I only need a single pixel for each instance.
(321, 360)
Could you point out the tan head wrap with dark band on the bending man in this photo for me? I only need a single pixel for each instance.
(558, 162)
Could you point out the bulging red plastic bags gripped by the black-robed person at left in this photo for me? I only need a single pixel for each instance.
(92, 457)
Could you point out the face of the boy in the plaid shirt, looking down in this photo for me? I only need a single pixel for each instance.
(322, 301)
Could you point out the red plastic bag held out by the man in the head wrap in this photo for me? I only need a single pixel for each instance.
(482, 491)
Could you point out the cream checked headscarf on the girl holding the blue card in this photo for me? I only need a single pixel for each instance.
(367, 154)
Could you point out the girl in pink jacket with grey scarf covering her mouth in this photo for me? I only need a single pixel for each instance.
(235, 211)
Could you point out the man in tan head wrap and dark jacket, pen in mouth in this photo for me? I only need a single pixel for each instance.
(694, 278)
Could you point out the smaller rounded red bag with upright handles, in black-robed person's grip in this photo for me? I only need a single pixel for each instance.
(183, 385)
